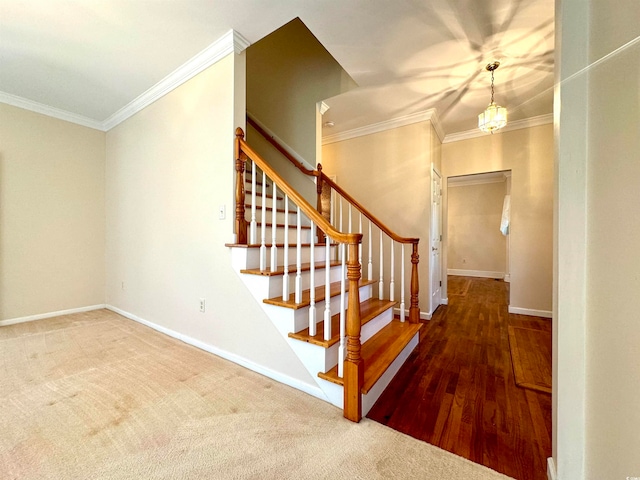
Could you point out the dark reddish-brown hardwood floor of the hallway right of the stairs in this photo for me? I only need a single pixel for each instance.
(457, 389)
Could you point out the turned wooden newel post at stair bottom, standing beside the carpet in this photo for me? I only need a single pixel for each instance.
(353, 364)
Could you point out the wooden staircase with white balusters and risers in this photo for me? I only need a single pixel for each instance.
(304, 265)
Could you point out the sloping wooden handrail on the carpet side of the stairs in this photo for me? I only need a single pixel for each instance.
(242, 148)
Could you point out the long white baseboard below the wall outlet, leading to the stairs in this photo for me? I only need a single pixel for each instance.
(232, 357)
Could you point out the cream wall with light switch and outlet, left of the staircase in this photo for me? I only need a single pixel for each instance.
(169, 168)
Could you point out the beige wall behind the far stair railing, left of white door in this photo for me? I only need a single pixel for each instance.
(390, 174)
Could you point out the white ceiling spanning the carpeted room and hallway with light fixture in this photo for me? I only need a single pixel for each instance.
(93, 57)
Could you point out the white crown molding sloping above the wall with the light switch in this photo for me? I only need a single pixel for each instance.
(230, 42)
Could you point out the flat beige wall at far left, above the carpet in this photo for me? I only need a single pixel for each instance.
(52, 229)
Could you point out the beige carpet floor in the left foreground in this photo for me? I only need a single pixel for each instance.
(98, 396)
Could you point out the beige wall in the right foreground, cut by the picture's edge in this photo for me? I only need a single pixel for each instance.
(613, 233)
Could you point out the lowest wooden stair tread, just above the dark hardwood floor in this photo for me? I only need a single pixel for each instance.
(379, 352)
